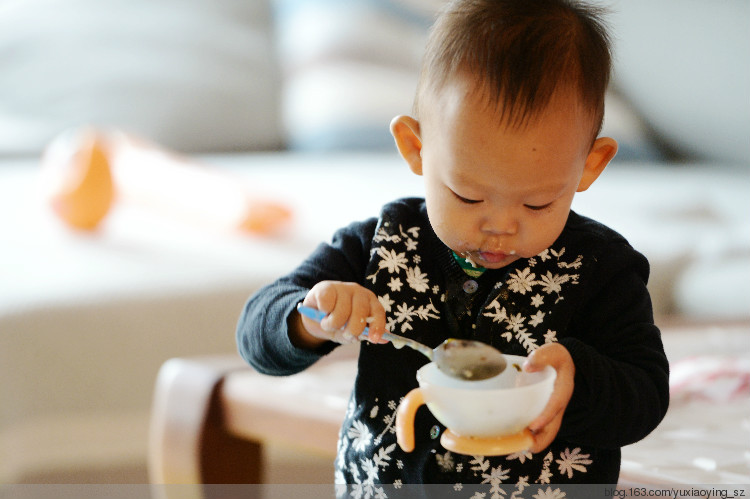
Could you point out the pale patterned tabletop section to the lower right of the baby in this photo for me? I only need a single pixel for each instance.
(705, 437)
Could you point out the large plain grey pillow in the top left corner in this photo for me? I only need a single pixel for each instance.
(192, 75)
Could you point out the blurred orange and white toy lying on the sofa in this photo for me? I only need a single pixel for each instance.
(85, 168)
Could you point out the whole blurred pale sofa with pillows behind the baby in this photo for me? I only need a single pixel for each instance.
(282, 90)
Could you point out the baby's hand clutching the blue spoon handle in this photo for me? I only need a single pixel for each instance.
(350, 308)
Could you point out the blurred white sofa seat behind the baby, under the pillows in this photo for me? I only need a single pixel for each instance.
(680, 216)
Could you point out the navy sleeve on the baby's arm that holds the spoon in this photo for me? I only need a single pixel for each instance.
(262, 331)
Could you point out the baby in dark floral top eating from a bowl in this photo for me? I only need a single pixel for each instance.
(505, 132)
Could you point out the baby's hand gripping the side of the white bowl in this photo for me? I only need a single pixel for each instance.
(547, 424)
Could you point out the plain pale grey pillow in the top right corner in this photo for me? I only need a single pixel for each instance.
(685, 66)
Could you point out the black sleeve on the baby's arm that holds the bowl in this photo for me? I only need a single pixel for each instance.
(622, 374)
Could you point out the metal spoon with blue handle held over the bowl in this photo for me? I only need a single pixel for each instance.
(463, 359)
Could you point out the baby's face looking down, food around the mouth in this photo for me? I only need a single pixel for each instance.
(496, 193)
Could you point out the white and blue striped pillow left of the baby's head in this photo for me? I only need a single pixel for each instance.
(349, 67)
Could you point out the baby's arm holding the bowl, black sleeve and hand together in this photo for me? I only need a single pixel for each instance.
(612, 375)
